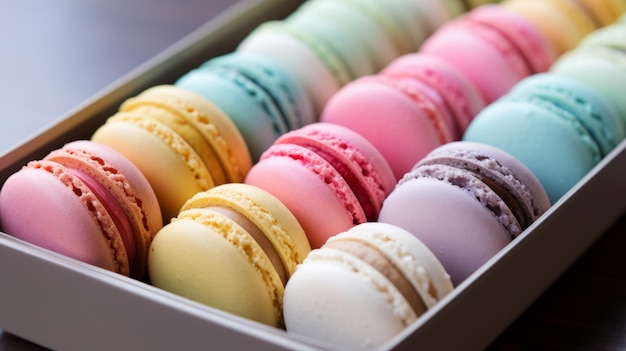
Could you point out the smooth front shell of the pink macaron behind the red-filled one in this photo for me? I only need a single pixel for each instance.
(389, 119)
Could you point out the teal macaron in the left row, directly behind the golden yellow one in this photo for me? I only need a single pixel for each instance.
(256, 93)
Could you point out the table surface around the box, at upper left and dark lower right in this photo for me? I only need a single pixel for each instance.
(62, 52)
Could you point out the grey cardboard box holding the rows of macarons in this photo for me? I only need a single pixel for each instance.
(61, 303)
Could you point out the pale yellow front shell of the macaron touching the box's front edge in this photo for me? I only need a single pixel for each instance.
(179, 263)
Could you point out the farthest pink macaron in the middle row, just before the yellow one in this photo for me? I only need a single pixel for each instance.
(493, 46)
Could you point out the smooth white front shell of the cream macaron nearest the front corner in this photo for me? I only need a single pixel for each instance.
(348, 324)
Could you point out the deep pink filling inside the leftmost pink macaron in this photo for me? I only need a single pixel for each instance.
(114, 209)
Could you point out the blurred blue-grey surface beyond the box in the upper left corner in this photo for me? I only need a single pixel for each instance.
(55, 54)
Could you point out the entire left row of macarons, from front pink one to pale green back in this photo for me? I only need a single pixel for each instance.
(173, 141)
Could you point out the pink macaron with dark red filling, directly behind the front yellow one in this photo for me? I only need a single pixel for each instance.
(330, 178)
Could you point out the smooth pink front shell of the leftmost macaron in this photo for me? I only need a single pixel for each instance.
(63, 222)
